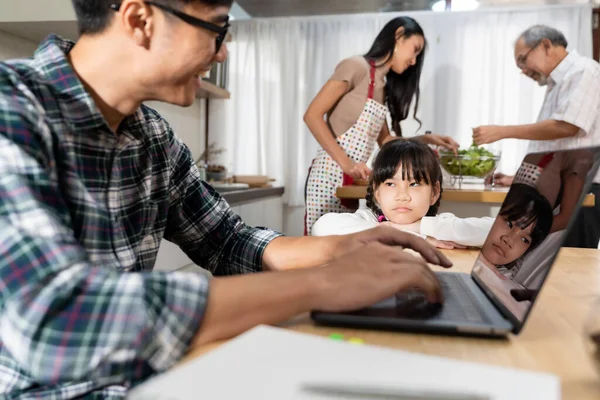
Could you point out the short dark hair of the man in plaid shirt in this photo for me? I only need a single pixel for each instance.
(93, 16)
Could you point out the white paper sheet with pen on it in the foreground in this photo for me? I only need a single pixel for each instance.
(274, 363)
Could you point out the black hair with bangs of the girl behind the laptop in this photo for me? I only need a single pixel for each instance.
(416, 159)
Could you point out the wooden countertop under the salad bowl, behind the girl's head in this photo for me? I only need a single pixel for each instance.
(469, 193)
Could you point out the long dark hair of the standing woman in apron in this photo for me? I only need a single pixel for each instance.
(399, 88)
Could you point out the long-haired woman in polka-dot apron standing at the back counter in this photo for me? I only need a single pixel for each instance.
(348, 115)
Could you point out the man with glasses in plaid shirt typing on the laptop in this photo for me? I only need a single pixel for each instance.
(91, 180)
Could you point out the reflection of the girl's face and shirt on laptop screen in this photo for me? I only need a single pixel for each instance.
(524, 221)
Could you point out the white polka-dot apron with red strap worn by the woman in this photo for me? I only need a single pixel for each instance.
(325, 175)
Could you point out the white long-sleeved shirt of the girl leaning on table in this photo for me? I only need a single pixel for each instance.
(445, 226)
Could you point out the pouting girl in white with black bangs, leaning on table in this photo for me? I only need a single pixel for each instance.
(405, 192)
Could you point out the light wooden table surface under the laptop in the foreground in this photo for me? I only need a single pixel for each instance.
(552, 341)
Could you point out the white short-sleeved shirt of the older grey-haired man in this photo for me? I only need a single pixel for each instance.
(573, 96)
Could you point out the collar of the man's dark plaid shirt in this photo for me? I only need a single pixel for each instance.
(76, 104)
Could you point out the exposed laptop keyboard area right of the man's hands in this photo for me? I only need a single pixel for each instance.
(460, 304)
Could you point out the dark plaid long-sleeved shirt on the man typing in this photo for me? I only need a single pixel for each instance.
(82, 214)
